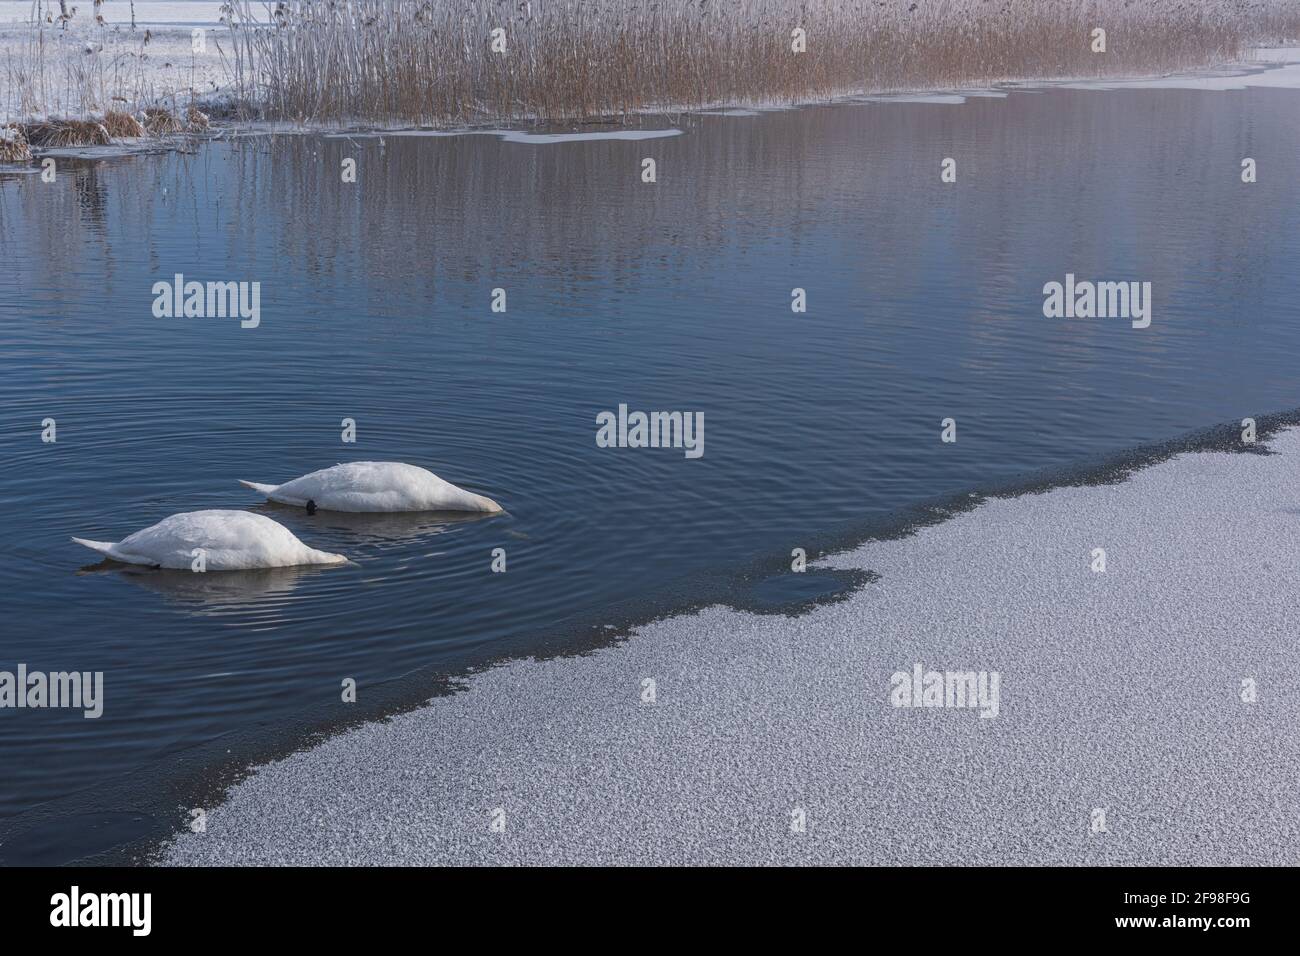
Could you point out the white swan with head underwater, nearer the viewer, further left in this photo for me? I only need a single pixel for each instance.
(231, 540)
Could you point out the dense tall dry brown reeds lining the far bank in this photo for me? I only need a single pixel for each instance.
(428, 62)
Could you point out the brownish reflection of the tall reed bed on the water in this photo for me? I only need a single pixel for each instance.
(483, 211)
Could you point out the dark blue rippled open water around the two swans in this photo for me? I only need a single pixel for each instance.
(925, 302)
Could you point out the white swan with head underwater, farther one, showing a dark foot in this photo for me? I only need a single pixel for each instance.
(375, 487)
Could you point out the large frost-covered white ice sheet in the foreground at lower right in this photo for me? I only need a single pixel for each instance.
(1156, 699)
